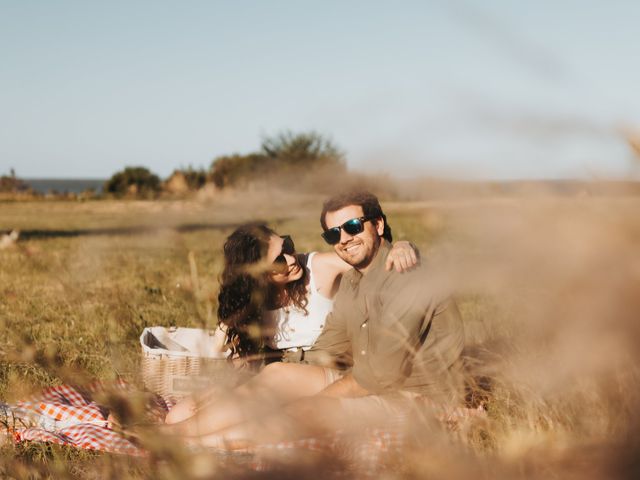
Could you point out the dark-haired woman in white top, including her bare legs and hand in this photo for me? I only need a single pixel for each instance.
(274, 302)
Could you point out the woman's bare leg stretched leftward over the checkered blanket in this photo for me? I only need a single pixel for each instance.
(277, 384)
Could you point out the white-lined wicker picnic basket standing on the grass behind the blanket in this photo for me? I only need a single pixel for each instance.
(179, 361)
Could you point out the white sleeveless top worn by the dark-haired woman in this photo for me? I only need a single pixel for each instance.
(294, 328)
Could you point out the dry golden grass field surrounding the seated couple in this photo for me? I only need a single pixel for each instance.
(548, 286)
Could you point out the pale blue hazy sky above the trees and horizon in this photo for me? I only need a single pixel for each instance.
(479, 89)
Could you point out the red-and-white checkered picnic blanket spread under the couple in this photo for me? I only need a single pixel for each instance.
(68, 415)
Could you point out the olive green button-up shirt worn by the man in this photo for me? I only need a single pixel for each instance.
(398, 331)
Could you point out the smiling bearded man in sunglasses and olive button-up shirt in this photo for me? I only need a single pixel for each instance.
(400, 332)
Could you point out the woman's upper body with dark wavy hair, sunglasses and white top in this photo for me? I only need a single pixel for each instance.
(269, 298)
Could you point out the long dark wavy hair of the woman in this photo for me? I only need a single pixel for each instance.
(246, 293)
